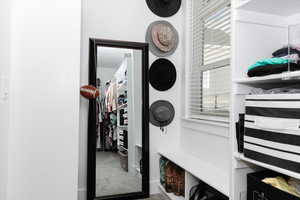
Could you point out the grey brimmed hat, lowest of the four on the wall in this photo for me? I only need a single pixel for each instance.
(161, 113)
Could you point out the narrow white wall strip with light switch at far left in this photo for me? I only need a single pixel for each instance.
(5, 26)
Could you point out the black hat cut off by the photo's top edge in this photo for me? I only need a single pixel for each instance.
(164, 8)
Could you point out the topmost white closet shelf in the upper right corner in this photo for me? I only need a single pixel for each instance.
(278, 7)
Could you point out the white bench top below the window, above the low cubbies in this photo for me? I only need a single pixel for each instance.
(210, 174)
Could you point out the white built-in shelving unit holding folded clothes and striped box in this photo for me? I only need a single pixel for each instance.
(259, 28)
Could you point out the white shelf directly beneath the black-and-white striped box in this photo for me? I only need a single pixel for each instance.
(240, 156)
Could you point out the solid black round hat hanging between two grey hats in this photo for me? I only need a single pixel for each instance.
(162, 74)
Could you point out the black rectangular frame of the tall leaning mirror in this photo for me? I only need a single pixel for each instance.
(91, 157)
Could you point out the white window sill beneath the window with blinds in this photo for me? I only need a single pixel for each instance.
(216, 128)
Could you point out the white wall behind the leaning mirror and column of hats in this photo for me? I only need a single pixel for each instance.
(128, 20)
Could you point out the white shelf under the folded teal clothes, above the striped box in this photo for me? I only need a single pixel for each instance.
(274, 78)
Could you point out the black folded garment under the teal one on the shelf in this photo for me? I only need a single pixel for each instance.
(272, 69)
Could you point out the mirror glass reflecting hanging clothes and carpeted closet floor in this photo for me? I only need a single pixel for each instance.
(119, 125)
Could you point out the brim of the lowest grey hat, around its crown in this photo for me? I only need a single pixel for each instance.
(158, 104)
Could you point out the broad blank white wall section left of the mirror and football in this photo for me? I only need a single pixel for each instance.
(45, 81)
